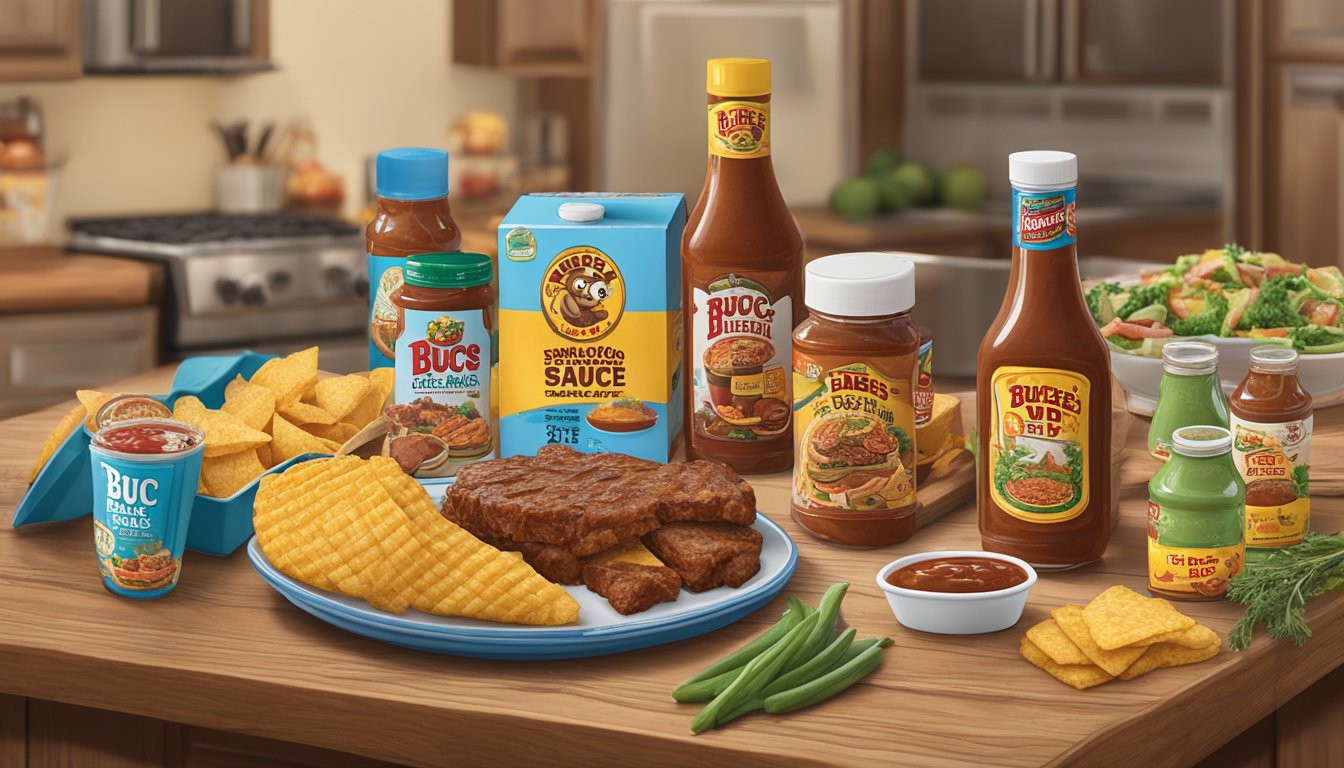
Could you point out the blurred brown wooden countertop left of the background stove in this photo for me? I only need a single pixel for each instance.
(45, 279)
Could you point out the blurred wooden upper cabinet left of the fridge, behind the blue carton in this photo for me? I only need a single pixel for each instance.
(538, 38)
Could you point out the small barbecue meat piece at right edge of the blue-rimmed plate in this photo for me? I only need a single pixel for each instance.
(708, 555)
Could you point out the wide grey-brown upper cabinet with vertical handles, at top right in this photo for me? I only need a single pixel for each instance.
(1138, 42)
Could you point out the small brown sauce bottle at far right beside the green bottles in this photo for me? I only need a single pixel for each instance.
(1272, 446)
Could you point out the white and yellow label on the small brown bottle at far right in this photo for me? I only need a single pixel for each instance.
(1275, 461)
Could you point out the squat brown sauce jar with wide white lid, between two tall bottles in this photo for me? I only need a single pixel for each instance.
(855, 368)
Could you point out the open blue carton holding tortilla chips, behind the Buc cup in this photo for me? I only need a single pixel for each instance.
(64, 490)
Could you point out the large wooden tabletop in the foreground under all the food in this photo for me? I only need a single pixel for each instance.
(225, 652)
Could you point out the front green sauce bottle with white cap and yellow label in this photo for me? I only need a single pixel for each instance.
(1197, 510)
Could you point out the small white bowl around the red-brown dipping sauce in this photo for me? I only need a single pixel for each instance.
(956, 613)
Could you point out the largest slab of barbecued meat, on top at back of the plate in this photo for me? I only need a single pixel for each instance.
(591, 504)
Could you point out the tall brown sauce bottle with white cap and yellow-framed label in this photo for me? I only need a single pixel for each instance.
(1044, 387)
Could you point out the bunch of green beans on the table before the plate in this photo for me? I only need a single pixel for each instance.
(799, 662)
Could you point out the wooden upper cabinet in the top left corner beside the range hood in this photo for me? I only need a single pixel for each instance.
(40, 40)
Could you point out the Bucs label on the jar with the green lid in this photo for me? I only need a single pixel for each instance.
(443, 391)
